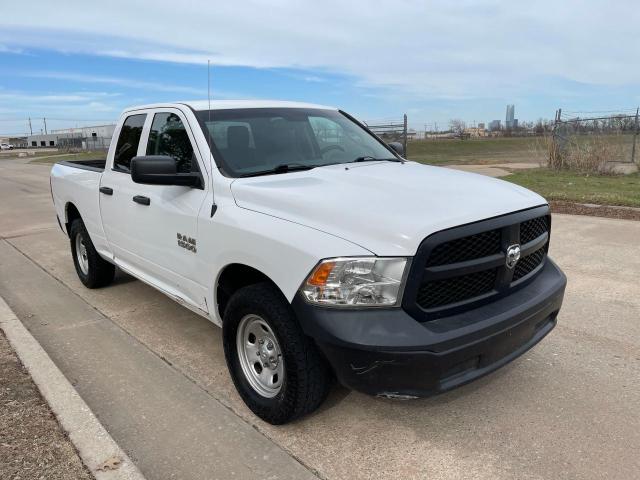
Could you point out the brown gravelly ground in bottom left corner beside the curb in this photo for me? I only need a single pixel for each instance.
(32, 444)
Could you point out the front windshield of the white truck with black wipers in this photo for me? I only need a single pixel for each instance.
(257, 141)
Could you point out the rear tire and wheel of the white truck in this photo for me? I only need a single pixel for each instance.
(92, 269)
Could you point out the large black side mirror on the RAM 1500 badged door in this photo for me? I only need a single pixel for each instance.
(161, 170)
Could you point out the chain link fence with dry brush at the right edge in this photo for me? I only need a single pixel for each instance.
(595, 143)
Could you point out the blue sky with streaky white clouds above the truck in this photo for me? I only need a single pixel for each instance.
(77, 63)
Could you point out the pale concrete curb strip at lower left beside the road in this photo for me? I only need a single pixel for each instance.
(99, 452)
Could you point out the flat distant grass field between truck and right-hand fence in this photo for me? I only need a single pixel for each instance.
(477, 151)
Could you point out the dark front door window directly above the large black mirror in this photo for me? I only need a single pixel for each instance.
(168, 136)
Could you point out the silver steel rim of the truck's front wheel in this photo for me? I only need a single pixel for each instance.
(260, 355)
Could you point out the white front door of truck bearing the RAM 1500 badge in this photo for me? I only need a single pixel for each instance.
(161, 238)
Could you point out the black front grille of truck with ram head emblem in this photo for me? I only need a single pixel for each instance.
(459, 268)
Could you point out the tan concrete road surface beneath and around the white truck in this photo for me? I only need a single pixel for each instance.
(569, 408)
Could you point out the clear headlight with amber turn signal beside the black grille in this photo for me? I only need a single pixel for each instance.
(356, 282)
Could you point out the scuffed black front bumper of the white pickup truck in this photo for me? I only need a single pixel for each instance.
(387, 352)
